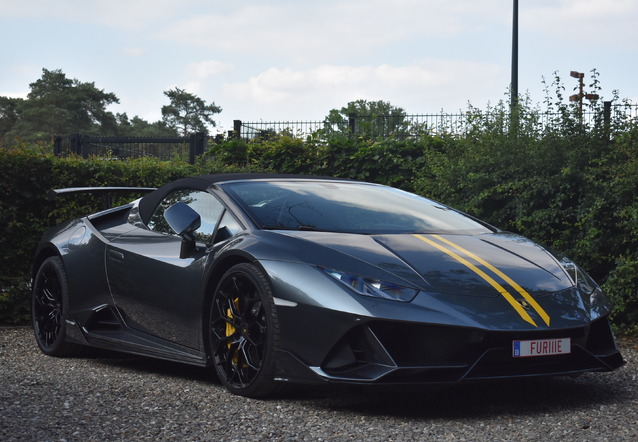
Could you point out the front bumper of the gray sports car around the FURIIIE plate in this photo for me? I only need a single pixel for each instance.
(384, 352)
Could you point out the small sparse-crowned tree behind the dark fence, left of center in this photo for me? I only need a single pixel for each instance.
(188, 113)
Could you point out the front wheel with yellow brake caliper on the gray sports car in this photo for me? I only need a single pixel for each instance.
(244, 332)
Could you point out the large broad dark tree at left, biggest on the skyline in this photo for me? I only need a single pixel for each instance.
(58, 105)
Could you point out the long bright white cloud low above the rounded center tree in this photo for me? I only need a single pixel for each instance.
(290, 93)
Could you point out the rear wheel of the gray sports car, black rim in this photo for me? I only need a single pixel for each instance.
(49, 309)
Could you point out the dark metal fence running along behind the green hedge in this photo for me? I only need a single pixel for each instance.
(398, 127)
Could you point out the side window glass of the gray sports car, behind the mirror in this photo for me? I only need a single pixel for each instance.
(208, 207)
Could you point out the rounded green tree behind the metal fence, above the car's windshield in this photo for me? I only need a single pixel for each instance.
(372, 119)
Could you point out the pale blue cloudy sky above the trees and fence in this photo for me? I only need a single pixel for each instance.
(287, 60)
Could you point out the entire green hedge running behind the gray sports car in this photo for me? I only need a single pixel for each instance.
(569, 187)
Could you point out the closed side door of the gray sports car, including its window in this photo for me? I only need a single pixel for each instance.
(157, 291)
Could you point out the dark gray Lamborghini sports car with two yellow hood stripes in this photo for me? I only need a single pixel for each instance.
(273, 279)
